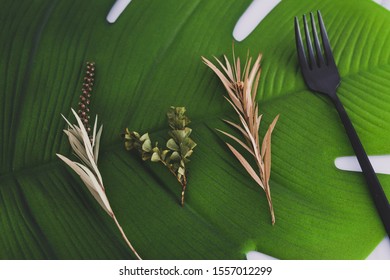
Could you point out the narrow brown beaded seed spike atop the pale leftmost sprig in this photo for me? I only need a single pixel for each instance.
(86, 95)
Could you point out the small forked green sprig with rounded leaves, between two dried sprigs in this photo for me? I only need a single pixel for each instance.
(179, 146)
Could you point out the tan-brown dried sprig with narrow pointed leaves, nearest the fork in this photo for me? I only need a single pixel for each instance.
(241, 86)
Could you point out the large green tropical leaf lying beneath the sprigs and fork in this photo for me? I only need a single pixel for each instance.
(149, 60)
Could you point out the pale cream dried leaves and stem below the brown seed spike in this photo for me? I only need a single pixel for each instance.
(86, 149)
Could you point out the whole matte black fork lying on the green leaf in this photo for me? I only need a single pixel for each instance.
(321, 75)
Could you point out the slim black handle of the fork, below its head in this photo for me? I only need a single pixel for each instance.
(376, 190)
